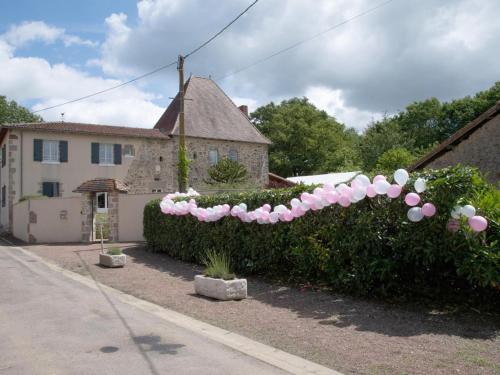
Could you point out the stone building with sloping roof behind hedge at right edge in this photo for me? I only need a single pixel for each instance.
(476, 144)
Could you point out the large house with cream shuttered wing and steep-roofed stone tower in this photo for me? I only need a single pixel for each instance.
(64, 159)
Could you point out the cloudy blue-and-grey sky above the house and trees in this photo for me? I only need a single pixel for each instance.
(53, 51)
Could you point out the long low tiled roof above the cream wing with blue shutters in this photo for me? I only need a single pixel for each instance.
(74, 127)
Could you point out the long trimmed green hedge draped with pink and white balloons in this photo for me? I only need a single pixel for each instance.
(368, 248)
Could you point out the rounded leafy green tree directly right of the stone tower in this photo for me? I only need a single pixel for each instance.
(305, 139)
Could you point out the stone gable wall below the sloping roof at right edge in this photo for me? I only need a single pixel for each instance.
(481, 150)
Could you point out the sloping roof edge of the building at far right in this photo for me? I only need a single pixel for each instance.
(457, 137)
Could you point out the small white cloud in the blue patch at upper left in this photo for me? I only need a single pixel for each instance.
(20, 35)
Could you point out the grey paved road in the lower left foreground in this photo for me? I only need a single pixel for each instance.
(50, 324)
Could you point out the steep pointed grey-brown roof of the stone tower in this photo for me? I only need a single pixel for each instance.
(209, 113)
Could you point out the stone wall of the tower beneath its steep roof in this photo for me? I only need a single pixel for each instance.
(252, 155)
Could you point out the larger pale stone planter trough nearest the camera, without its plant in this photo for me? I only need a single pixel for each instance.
(220, 289)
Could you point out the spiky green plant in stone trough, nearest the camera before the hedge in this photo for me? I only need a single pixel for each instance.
(218, 281)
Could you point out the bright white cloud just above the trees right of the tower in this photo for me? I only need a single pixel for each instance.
(333, 102)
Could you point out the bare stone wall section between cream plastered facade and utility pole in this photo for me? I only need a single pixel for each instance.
(153, 168)
